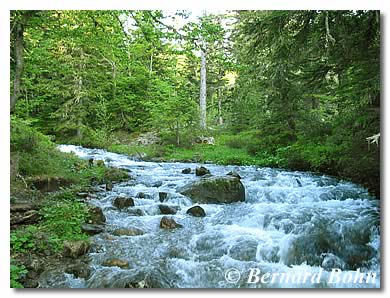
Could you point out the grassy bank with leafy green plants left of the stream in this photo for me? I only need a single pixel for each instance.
(35, 162)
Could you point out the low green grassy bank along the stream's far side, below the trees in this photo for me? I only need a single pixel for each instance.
(358, 162)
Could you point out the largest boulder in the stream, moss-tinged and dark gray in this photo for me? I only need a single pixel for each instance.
(215, 190)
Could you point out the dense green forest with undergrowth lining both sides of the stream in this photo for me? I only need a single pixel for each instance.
(292, 90)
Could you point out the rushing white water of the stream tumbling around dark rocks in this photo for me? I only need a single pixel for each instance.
(292, 223)
